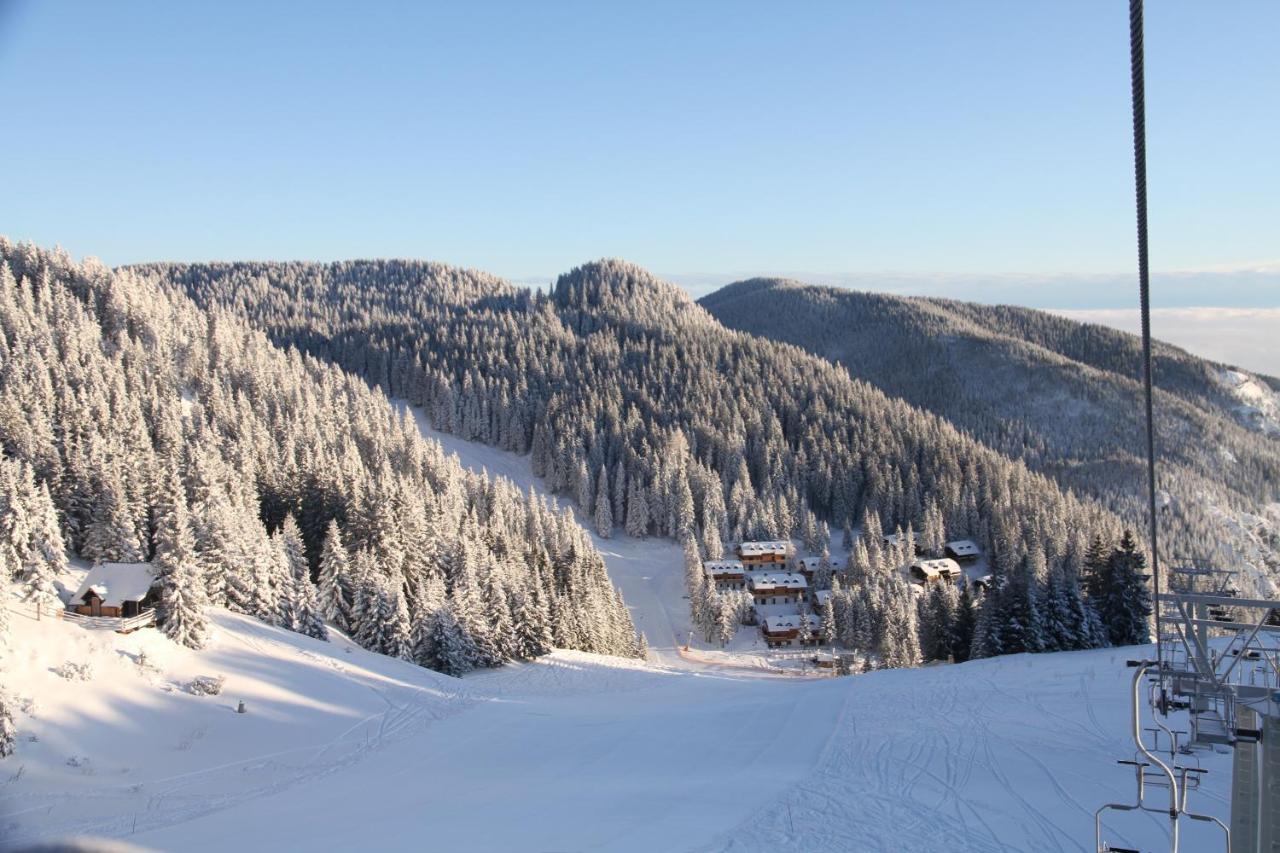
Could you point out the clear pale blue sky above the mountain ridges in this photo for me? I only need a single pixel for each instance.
(697, 139)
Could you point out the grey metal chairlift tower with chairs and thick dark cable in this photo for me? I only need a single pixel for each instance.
(1218, 655)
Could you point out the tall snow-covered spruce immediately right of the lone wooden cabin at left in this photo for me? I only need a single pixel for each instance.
(182, 589)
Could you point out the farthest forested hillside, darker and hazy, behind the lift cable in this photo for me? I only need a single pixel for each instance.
(1062, 396)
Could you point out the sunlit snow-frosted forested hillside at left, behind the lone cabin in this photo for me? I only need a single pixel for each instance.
(136, 426)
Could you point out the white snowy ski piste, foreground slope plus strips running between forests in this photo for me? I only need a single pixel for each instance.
(703, 751)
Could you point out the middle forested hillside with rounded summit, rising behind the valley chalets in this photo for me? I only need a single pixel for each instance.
(651, 414)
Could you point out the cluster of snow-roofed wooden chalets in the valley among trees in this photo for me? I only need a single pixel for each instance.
(789, 592)
